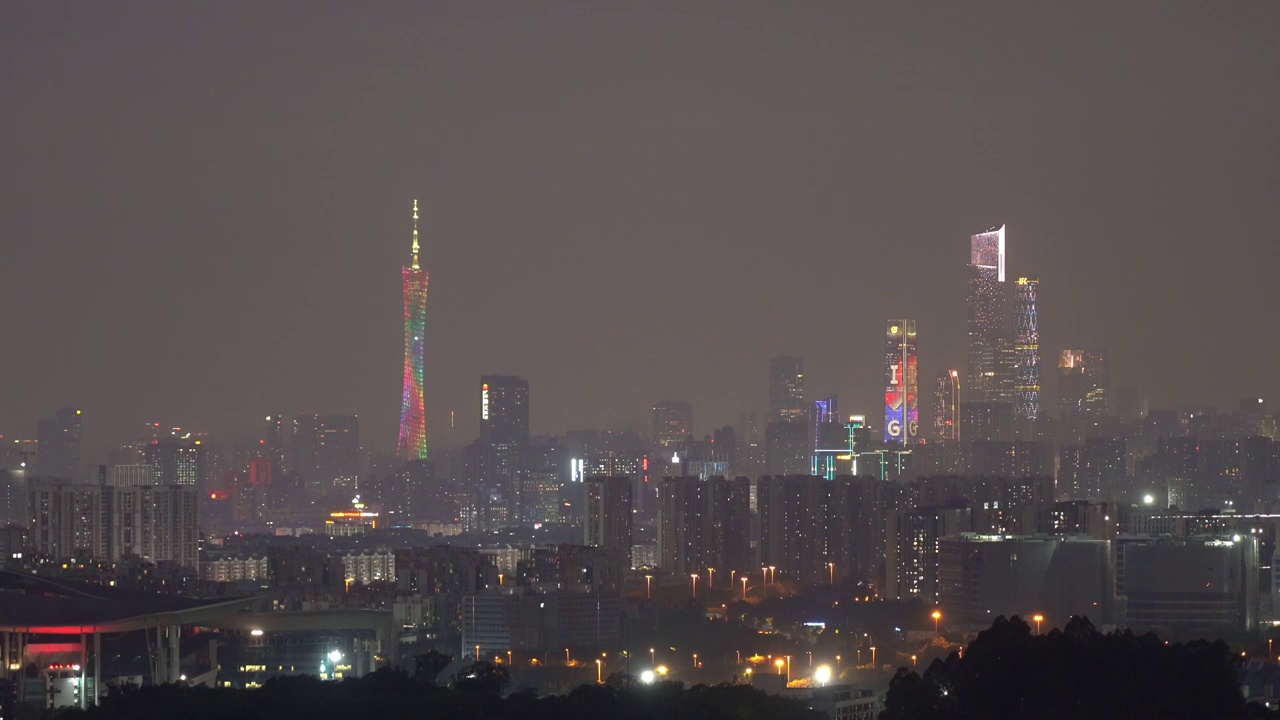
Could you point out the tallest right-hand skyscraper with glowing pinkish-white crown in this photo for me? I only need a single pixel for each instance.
(986, 313)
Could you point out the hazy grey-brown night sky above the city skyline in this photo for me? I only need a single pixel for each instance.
(204, 207)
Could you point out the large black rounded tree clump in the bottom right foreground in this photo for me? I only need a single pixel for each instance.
(1076, 673)
